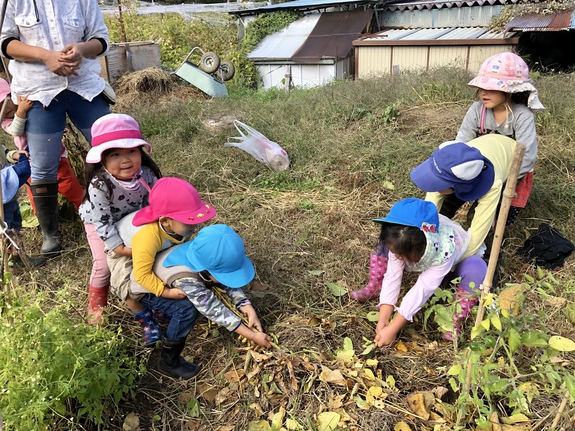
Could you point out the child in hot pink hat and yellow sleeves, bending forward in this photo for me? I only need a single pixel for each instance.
(175, 209)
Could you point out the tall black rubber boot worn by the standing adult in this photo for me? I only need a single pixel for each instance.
(46, 200)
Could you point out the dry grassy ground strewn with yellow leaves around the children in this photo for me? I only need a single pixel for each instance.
(309, 233)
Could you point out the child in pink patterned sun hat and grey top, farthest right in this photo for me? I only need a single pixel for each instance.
(507, 105)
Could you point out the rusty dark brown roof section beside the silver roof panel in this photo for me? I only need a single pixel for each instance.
(333, 35)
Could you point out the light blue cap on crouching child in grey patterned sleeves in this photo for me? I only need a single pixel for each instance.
(219, 250)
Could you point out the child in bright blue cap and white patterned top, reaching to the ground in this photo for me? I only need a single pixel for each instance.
(416, 238)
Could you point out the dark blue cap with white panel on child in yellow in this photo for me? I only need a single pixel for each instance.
(455, 165)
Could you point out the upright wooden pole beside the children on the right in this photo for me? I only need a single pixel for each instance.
(508, 195)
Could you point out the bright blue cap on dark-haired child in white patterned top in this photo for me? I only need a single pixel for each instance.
(412, 212)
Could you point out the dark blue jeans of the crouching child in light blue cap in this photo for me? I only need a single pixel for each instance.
(181, 312)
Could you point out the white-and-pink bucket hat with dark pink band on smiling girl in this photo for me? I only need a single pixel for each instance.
(114, 131)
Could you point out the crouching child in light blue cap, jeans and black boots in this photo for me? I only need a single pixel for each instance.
(215, 258)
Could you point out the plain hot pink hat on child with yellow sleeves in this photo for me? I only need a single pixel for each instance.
(177, 199)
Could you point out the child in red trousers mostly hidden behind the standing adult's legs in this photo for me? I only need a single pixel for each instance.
(14, 123)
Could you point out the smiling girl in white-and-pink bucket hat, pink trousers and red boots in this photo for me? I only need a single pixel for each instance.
(119, 175)
